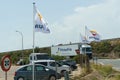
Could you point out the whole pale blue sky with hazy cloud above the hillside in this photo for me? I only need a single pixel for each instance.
(66, 18)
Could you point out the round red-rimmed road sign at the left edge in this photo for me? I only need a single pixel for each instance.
(5, 63)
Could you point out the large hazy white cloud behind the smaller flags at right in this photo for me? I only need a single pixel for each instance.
(104, 18)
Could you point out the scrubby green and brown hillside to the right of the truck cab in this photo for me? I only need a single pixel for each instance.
(106, 48)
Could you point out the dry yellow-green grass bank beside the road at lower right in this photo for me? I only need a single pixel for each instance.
(98, 72)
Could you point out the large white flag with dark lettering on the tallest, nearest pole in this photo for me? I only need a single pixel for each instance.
(40, 24)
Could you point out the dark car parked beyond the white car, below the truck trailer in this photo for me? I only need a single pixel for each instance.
(70, 63)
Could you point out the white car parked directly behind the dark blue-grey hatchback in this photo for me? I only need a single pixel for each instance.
(52, 64)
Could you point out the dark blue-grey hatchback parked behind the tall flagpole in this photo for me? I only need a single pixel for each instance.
(41, 73)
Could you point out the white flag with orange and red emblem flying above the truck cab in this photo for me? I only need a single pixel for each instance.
(92, 35)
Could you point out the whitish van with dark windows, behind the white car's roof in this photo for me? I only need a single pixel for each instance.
(38, 56)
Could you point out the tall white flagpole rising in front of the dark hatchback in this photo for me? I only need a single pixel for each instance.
(33, 76)
